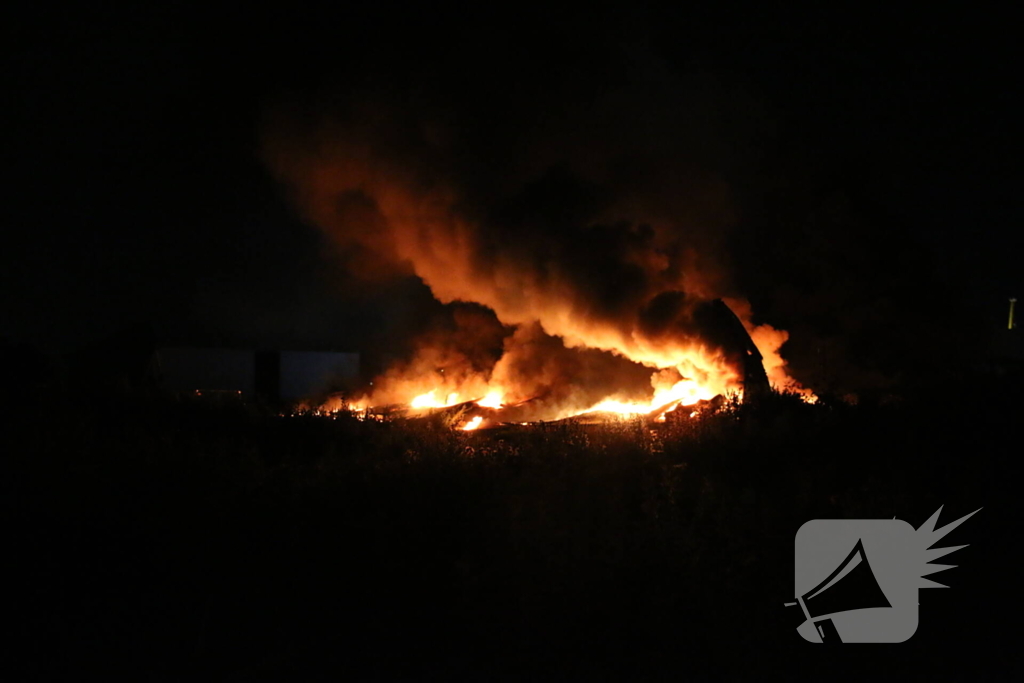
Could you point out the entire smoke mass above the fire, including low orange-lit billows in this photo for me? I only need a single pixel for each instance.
(592, 248)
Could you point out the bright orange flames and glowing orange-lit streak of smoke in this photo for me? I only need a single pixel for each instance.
(410, 225)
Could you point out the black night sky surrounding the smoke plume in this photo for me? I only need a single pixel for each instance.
(873, 161)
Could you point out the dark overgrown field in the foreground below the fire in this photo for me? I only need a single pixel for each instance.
(162, 541)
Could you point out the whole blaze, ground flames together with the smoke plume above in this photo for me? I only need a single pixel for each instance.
(568, 288)
